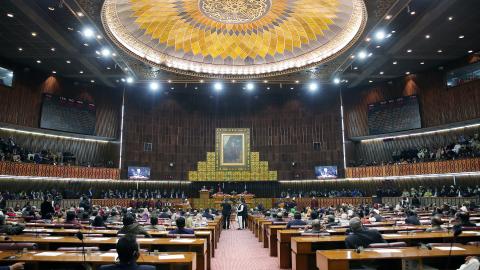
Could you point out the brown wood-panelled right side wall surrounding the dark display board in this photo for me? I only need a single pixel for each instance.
(438, 105)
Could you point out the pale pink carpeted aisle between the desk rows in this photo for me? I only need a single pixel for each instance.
(240, 250)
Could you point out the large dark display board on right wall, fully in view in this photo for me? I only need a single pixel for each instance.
(394, 115)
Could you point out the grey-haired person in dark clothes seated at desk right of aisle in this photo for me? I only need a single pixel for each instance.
(361, 237)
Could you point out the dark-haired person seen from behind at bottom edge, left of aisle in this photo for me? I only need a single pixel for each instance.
(128, 254)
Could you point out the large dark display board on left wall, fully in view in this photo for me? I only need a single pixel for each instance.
(66, 114)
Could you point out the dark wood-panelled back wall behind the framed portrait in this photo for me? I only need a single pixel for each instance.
(182, 130)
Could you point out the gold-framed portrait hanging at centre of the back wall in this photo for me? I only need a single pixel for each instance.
(232, 146)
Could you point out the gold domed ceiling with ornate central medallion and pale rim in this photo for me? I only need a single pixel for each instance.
(234, 38)
